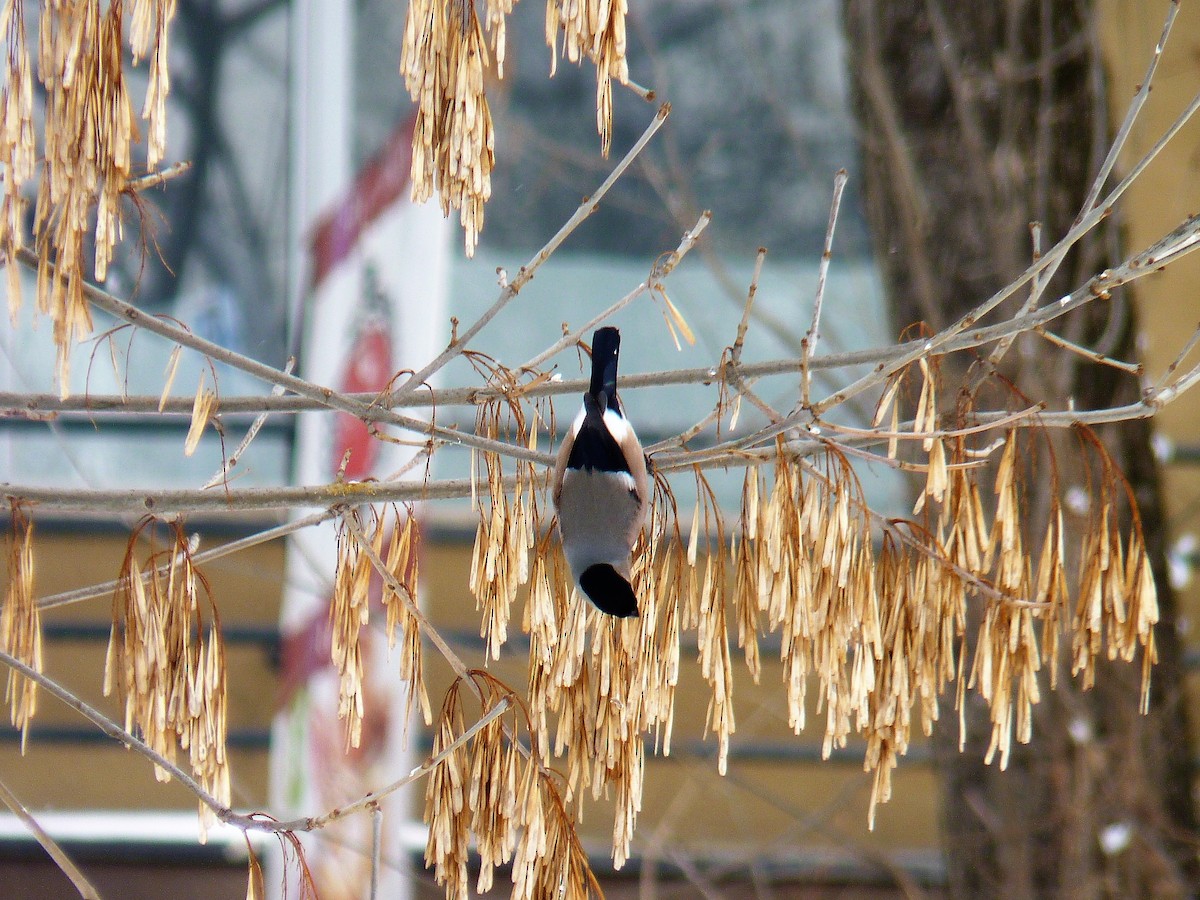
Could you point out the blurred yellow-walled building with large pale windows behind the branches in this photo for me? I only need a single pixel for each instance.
(761, 123)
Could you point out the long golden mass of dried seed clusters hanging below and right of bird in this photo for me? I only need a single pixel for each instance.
(880, 628)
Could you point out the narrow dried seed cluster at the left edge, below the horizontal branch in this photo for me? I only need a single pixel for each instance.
(21, 625)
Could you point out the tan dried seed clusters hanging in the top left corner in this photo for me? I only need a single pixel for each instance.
(88, 141)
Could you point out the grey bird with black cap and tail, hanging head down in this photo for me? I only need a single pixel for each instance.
(602, 488)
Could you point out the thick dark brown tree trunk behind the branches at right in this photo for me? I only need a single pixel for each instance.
(979, 119)
